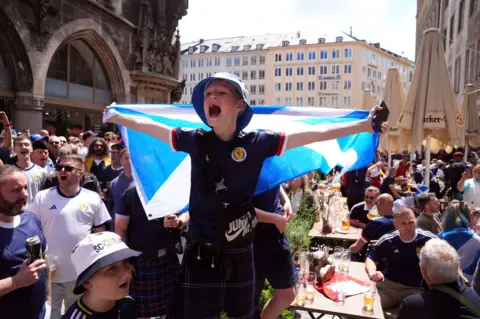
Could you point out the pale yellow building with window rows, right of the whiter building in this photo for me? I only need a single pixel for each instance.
(329, 71)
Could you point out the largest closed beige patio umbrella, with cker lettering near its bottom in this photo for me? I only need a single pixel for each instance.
(430, 109)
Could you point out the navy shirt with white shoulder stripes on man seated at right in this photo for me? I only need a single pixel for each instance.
(402, 257)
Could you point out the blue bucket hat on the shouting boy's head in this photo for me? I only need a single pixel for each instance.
(199, 94)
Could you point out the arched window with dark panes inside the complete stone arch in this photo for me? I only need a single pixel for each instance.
(76, 73)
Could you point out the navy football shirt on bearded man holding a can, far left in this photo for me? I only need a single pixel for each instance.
(26, 302)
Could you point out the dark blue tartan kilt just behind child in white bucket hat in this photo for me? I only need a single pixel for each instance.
(154, 282)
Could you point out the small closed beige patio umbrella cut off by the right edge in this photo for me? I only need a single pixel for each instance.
(471, 127)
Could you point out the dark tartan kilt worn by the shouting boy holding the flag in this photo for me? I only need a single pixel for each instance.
(204, 293)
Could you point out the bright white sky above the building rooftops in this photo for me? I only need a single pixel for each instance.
(390, 22)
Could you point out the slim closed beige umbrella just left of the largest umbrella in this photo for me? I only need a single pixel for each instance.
(394, 97)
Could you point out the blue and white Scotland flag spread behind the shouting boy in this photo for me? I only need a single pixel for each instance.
(163, 176)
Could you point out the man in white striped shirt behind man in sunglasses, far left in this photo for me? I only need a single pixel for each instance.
(36, 175)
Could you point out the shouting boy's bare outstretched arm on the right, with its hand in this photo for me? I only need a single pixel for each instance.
(332, 131)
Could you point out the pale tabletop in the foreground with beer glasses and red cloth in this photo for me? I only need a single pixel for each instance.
(353, 305)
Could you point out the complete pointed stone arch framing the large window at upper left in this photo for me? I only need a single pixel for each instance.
(93, 34)
